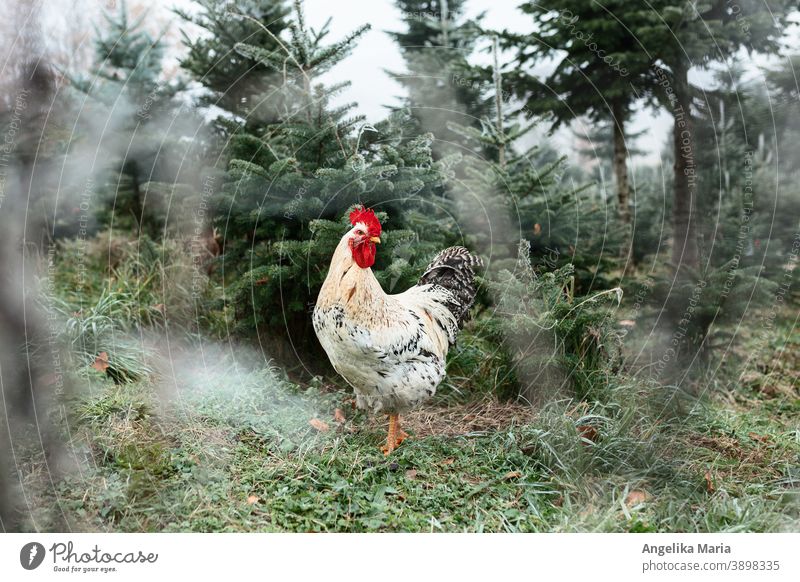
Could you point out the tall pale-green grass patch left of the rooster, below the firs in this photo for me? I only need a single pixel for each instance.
(113, 297)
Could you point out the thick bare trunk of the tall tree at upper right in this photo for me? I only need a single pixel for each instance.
(684, 245)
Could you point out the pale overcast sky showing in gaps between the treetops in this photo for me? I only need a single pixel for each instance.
(372, 88)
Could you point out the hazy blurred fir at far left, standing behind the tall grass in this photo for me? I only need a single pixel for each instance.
(141, 146)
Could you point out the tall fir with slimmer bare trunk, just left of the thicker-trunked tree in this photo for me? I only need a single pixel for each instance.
(598, 73)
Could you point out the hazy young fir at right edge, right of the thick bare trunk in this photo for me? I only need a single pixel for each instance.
(745, 245)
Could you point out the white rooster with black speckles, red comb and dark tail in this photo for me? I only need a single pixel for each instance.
(391, 348)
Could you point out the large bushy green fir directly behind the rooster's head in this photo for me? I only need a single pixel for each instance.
(291, 183)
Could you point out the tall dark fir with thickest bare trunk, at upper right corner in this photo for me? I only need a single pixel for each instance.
(679, 35)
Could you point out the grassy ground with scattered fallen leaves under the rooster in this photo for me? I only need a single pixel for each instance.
(247, 450)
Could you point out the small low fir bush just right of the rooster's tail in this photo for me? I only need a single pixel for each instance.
(558, 342)
